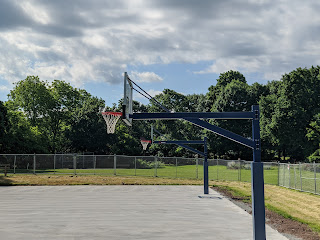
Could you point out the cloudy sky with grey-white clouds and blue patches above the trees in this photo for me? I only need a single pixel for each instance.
(179, 44)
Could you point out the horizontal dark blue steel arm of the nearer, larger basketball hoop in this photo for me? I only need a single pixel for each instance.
(202, 115)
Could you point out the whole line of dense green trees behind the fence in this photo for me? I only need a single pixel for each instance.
(43, 117)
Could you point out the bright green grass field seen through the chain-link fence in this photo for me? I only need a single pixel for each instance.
(272, 175)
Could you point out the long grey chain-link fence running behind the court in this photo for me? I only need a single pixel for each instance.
(301, 177)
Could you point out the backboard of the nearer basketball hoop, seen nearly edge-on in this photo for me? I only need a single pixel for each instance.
(127, 100)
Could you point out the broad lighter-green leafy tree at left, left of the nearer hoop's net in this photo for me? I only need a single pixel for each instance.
(52, 109)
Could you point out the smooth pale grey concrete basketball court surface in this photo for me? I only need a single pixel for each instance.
(121, 212)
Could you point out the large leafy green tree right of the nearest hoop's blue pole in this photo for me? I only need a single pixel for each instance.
(289, 109)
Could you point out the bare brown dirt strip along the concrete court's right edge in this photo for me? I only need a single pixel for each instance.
(290, 228)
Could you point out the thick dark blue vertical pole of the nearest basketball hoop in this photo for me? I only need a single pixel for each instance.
(257, 182)
